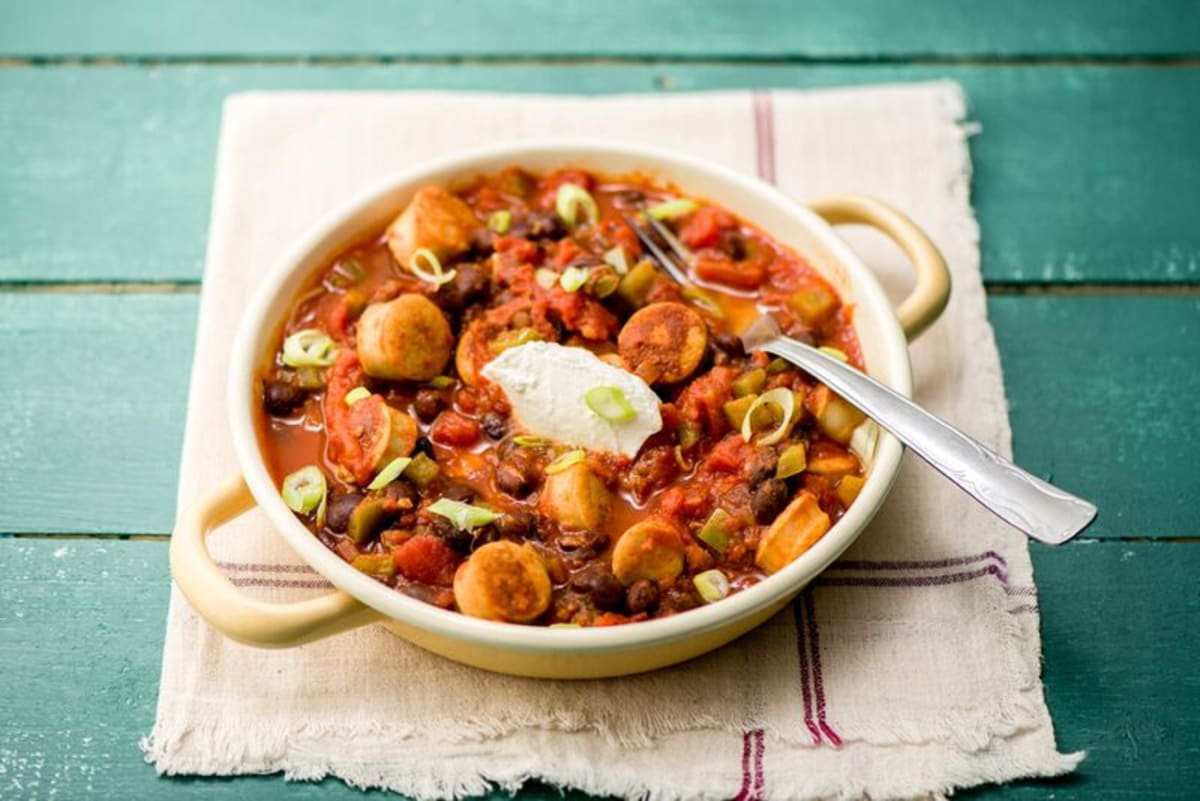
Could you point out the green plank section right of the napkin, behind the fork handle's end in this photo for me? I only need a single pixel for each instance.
(1101, 393)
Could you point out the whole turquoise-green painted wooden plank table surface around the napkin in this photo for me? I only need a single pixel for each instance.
(1088, 188)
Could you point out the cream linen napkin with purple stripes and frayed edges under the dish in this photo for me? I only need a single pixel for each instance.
(909, 670)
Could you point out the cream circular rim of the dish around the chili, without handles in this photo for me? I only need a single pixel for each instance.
(245, 362)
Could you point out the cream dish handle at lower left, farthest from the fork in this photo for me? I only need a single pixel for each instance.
(227, 609)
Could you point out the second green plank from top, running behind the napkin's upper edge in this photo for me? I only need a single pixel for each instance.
(1071, 170)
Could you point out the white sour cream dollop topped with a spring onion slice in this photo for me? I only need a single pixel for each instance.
(545, 384)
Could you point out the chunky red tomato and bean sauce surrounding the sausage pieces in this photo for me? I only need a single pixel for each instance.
(697, 465)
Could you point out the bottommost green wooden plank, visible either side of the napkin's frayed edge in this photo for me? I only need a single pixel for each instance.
(1118, 624)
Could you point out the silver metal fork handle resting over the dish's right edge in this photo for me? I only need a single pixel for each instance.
(1023, 501)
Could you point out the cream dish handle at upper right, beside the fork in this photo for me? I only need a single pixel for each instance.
(928, 299)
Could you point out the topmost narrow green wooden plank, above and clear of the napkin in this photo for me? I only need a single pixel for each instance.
(761, 29)
